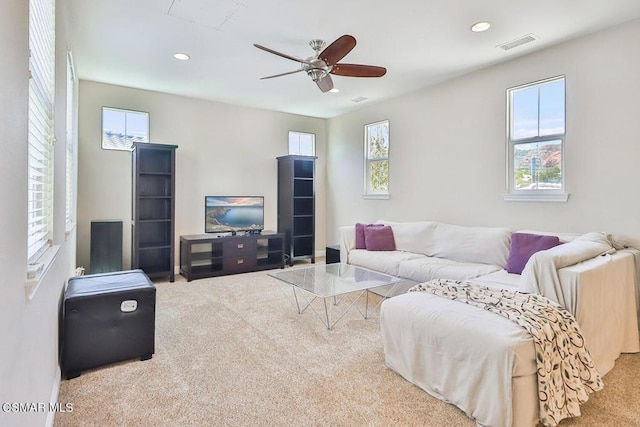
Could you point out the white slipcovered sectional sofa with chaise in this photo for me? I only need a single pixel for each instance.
(483, 363)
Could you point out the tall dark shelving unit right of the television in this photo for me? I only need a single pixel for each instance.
(296, 205)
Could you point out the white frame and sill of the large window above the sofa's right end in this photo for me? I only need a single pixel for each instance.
(545, 195)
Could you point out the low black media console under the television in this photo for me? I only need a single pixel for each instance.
(205, 255)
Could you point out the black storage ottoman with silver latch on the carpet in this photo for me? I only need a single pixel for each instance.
(107, 318)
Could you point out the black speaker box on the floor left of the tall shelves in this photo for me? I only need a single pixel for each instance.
(106, 246)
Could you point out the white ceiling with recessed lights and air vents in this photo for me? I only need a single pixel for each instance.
(420, 42)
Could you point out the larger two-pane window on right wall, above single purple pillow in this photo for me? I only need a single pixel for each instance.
(536, 133)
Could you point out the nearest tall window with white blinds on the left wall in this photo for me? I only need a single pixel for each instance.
(41, 136)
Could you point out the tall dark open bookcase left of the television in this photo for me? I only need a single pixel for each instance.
(153, 209)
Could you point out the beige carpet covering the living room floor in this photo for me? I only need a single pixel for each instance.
(233, 351)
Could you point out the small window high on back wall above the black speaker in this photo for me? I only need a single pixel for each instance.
(121, 128)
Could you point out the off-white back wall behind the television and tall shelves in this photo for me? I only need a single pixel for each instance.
(222, 150)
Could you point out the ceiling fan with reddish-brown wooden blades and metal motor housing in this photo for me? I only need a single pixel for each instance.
(325, 62)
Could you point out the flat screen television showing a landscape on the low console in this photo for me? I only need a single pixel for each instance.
(230, 214)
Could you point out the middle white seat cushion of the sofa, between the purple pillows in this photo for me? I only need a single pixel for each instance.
(428, 268)
